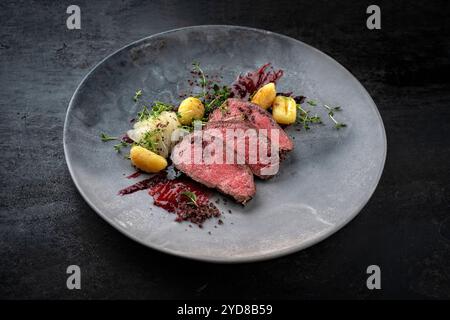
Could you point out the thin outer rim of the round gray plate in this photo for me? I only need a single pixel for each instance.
(228, 259)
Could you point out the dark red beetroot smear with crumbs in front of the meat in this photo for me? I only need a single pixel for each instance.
(168, 194)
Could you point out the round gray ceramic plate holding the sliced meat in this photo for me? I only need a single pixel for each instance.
(323, 184)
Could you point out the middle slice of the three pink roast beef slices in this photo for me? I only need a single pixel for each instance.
(250, 146)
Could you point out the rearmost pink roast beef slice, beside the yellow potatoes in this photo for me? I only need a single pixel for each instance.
(238, 110)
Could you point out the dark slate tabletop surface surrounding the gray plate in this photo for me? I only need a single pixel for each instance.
(45, 225)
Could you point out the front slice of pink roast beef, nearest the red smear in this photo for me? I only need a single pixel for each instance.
(203, 159)
